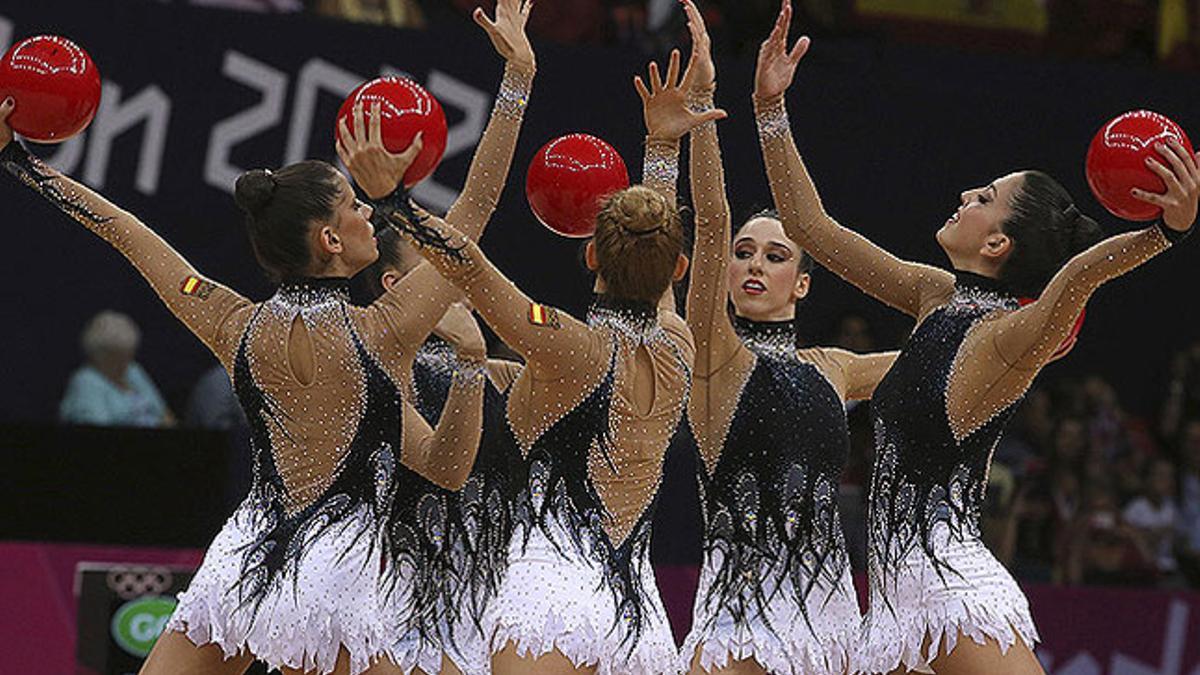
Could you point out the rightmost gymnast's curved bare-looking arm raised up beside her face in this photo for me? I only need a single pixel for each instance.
(907, 286)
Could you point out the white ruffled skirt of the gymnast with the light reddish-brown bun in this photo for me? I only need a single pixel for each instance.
(553, 598)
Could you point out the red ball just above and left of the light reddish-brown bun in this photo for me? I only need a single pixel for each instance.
(568, 181)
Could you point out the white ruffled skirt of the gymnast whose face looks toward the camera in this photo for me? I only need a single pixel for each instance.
(781, 640)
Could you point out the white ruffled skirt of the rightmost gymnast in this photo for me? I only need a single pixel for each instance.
(976, 598)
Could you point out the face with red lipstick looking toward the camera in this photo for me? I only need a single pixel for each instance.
(765, 272)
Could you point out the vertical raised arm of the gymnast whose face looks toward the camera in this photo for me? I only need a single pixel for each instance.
(709, 289)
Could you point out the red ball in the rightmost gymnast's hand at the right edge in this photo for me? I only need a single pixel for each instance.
(1117, 162)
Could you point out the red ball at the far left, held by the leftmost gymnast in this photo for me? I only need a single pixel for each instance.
(55, 85)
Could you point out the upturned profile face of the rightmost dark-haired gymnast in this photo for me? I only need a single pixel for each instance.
(973, 237)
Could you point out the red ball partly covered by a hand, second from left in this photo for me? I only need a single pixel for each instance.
(405, 109)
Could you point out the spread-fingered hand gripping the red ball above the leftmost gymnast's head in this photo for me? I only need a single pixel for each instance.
(377, 171)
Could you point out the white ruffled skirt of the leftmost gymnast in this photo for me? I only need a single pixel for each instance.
(328, 602)
